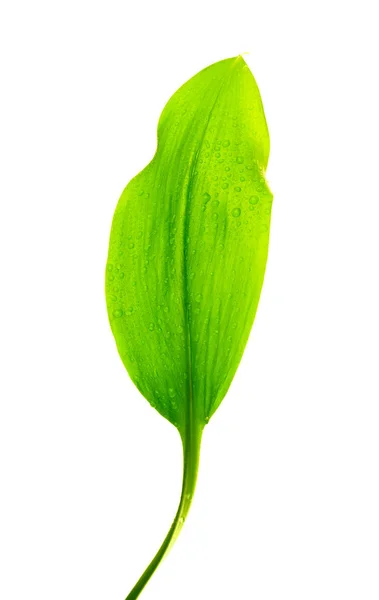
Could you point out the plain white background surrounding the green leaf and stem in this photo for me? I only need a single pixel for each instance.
(288, 494)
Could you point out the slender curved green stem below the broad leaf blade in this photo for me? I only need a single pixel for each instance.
(191, 452)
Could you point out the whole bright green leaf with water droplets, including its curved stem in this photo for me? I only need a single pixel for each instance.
(187, 256)
